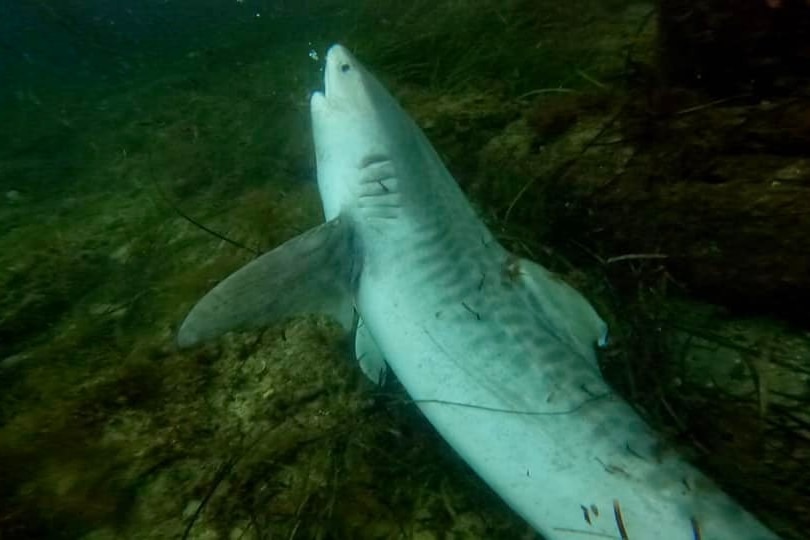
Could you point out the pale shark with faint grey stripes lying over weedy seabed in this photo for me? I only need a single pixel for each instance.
(496, 351)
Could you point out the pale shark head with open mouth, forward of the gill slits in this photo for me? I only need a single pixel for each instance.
(358, 127)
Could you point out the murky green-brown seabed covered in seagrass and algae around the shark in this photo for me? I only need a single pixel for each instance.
(677, 210)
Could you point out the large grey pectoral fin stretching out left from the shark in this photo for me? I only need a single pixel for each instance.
(311, 273)
